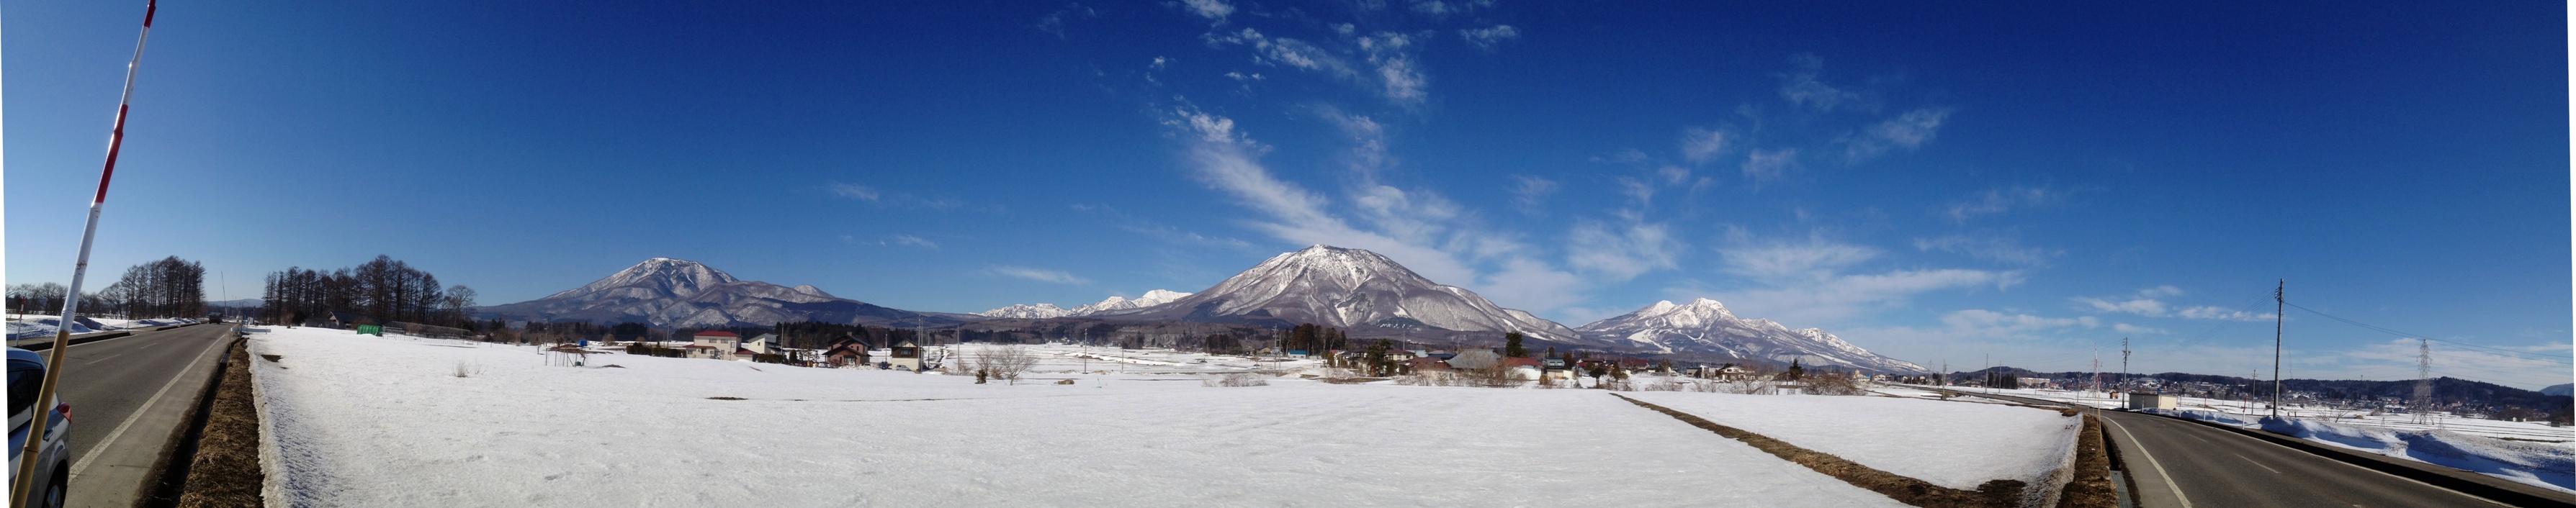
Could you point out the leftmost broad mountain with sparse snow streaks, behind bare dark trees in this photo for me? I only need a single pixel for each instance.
(671, 293)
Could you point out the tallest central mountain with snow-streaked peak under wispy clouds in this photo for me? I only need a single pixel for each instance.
(1343, 288)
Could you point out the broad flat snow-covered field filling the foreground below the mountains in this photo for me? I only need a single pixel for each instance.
(388, 422)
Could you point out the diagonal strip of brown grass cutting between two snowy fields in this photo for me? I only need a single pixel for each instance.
(1887, 484)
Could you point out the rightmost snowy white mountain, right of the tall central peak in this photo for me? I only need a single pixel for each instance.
(1704, 326)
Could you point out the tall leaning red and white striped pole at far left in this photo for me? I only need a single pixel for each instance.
(22, 489)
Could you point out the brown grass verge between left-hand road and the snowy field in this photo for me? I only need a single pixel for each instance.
(228, 455)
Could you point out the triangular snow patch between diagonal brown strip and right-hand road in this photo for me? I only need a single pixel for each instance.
(1954, 445)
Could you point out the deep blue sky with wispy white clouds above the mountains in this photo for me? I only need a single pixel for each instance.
(1933, 182)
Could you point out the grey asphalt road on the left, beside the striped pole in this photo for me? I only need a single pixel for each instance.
(130, 396)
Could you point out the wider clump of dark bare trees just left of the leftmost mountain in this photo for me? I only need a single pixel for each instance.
(383, 290)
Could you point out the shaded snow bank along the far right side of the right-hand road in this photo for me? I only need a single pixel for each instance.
(2536, 465)
